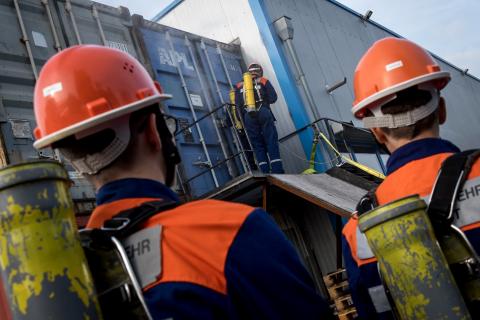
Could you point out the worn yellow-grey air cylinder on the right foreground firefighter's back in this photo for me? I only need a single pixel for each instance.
(411, 262)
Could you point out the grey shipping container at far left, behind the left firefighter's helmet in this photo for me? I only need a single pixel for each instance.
(31, 32)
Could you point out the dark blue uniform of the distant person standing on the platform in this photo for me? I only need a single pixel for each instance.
(261, 126)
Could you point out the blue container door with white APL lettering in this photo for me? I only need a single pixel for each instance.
(203, 163)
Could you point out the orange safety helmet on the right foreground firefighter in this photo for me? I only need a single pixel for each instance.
(389, 66)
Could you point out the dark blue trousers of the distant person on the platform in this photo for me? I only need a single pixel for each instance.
(264, 138)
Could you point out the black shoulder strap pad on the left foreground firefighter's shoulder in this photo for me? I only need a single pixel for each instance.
(126, 221)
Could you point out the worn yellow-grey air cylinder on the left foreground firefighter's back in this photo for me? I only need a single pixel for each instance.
(44, 273)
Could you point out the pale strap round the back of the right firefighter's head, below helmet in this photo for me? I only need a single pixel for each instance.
(381, 120)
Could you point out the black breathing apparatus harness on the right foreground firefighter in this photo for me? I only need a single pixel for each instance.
(441, 211)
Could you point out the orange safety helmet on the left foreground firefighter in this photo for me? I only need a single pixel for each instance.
(87, 86)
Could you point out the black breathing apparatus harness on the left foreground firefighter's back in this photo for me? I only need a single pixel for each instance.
(119, 291)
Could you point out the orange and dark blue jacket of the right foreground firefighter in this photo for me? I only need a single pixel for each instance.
(412, 169)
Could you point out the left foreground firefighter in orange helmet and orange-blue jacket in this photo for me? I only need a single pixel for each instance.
(218, 260)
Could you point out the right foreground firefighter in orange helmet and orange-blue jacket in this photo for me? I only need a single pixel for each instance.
(397, 95)
